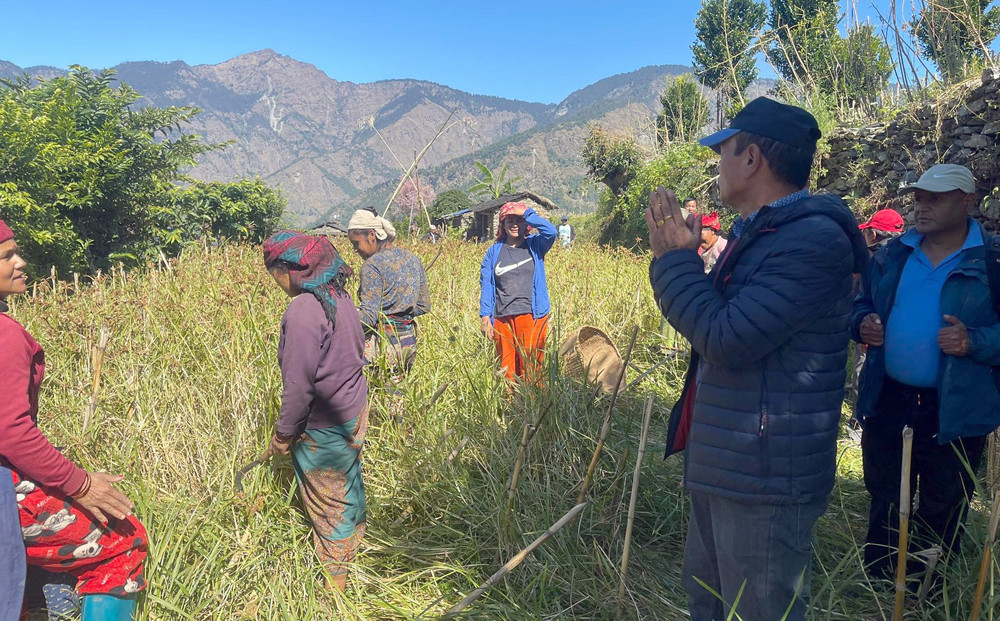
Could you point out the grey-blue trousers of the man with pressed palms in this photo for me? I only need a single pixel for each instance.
(765, 550)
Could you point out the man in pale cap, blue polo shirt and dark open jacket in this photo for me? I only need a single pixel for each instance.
(933, 335)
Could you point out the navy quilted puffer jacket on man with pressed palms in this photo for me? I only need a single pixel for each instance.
(770, 331)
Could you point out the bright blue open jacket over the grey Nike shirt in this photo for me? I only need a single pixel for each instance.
(537, 245)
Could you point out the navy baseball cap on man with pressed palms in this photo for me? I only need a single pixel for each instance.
(765, 117)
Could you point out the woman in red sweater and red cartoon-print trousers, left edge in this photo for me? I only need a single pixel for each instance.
(72, 521)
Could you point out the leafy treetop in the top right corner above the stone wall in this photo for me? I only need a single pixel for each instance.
(956, 33)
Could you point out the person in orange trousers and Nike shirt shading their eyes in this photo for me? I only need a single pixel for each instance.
(514, 297)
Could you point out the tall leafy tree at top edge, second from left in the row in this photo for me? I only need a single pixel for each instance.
(802, 38)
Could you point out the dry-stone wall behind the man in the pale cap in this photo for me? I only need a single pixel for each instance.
(867, 165)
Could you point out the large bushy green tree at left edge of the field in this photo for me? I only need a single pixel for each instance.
(87, 180)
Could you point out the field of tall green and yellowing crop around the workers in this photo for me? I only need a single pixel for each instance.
(190, 390)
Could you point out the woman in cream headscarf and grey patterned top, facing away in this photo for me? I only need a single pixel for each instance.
(392, 294)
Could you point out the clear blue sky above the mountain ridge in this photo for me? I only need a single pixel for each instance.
(536, 51)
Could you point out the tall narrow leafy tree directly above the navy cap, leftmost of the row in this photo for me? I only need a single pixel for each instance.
(723, 55)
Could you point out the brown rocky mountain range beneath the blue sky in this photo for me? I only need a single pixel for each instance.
(333, 146)
